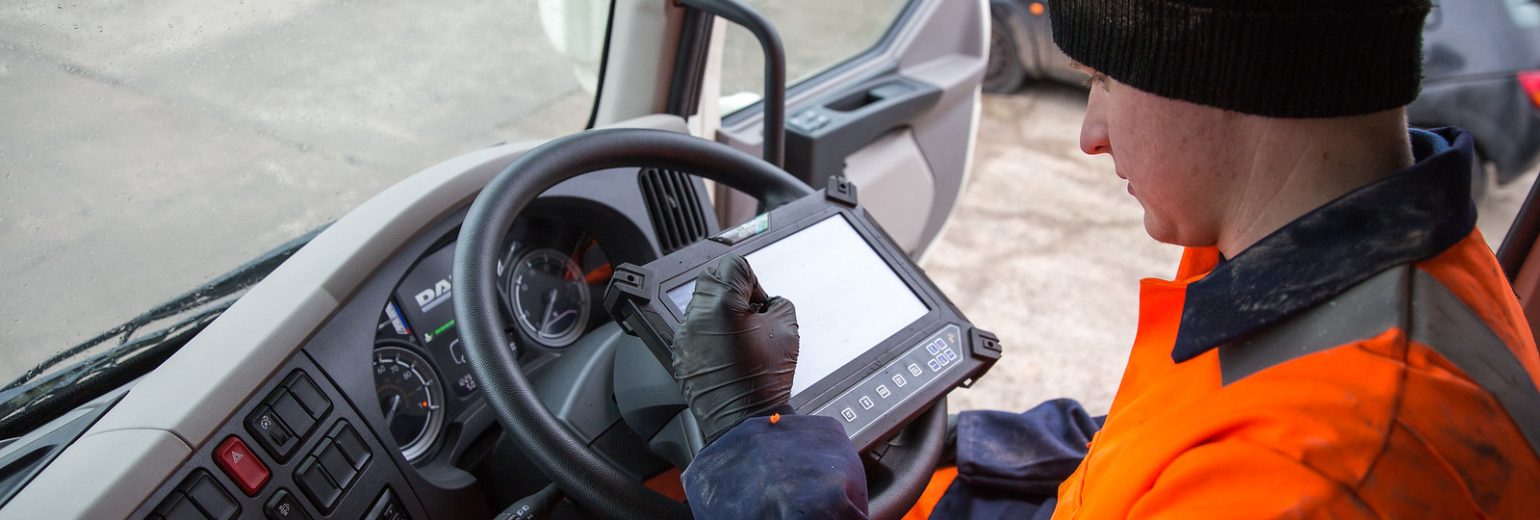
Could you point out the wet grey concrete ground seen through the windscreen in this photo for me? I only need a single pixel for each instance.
(150, 147)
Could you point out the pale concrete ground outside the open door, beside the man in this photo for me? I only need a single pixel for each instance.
(1048, 250)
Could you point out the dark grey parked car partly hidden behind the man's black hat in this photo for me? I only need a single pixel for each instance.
(1481, 72)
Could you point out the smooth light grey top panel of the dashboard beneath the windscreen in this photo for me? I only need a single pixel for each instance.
(176, 410)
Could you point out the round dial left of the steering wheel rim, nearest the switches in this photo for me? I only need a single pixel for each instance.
(410, 398)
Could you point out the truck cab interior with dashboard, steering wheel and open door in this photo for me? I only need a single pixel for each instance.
(329, 378)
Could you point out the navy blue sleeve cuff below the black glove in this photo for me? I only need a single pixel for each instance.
(802, 467)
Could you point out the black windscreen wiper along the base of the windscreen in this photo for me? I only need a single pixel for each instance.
(30, 401)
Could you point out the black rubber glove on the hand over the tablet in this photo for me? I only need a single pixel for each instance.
(735, 353)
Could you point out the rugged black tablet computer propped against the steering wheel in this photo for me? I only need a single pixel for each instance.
(880, 342)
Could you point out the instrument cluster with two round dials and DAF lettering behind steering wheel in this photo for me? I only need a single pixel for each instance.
(551, 281)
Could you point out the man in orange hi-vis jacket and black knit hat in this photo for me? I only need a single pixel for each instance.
(1337, 341)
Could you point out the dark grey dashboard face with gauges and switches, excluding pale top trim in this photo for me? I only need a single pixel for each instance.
(381, 412)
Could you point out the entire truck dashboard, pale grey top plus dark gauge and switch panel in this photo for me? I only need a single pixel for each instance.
(336, 387)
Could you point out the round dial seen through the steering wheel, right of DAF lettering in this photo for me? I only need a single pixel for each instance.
(551, 298)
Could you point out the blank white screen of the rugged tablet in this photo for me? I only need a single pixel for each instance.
(848, 299)
